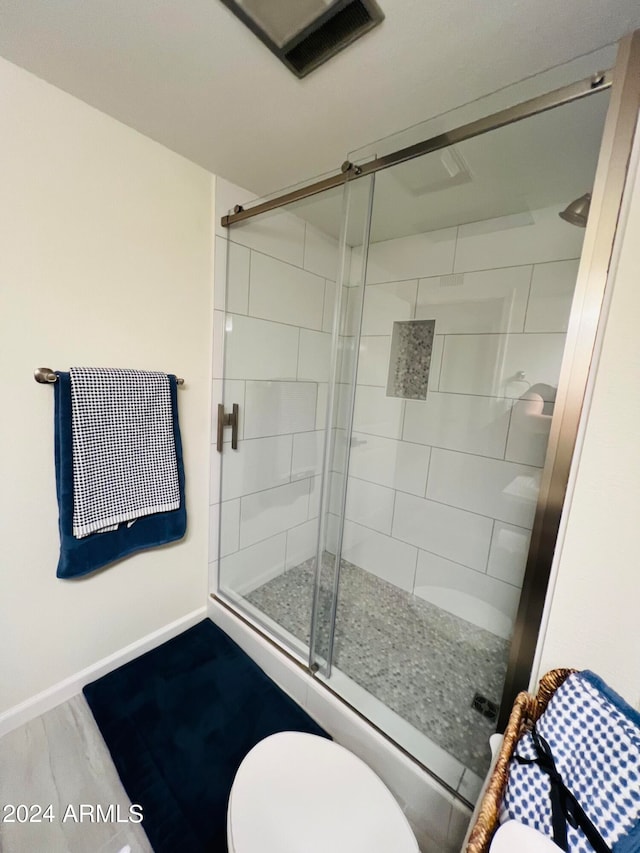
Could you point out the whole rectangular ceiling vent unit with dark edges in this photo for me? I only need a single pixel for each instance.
(305, 33)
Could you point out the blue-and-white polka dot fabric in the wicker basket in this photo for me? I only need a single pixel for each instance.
(594, 737)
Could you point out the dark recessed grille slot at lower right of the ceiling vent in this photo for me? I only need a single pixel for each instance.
(341, 29)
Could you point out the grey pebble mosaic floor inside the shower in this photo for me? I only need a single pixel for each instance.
(423, 662)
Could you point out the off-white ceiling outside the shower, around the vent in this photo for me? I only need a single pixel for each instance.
(188, 74)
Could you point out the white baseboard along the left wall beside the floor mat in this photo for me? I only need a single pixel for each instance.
(63, 690)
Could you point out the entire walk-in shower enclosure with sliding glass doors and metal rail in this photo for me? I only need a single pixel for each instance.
(399, 347)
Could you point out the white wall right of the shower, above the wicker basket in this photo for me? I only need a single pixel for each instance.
(594, 609)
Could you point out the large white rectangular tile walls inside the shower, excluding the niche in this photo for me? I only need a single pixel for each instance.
(441, 493)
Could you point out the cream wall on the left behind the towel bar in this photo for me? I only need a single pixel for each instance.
(105, 260)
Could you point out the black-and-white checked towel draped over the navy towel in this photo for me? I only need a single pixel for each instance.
(124, 455)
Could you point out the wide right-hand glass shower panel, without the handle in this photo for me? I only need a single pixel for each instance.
(469, 282)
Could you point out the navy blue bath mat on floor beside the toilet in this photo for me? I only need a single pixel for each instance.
(178, 721)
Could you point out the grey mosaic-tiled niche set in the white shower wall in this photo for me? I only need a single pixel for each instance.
(410, 360)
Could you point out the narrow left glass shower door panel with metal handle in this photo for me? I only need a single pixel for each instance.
(284, 277)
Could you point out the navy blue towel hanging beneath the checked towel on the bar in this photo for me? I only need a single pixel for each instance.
(80, 556)
